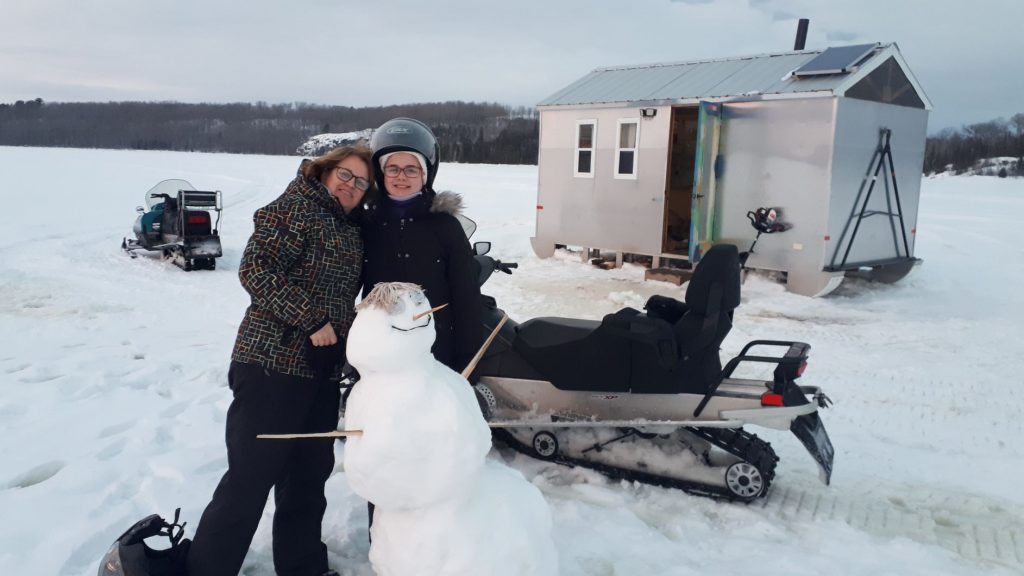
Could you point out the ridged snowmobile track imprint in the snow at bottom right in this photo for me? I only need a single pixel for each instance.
(974, 527)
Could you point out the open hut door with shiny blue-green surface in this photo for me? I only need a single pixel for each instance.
(703, 232)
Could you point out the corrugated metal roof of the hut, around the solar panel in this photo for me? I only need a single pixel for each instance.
(765, 74)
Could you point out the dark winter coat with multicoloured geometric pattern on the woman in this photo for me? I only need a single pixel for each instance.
(303, 269)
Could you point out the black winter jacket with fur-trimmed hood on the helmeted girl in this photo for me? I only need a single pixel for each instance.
(424, 243)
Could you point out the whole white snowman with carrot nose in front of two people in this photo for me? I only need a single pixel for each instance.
(443, 508)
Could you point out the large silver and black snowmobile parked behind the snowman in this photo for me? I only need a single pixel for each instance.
(643, 396)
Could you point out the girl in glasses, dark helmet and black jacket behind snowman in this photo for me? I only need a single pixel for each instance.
(412, 235)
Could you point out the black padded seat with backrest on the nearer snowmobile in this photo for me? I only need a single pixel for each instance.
(629, 351)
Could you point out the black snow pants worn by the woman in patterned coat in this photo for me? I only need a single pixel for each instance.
(297, 470)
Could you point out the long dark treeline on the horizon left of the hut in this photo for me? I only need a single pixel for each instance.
(467, 132)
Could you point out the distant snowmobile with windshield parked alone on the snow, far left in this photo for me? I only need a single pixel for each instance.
(178, 222)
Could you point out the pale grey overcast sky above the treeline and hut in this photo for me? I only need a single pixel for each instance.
(969, 56)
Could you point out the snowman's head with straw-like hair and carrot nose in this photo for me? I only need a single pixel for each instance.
(394, 328)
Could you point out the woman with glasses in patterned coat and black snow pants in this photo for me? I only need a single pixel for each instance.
(303, 270)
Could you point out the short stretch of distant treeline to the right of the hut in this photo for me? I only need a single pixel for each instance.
(963, 150)
